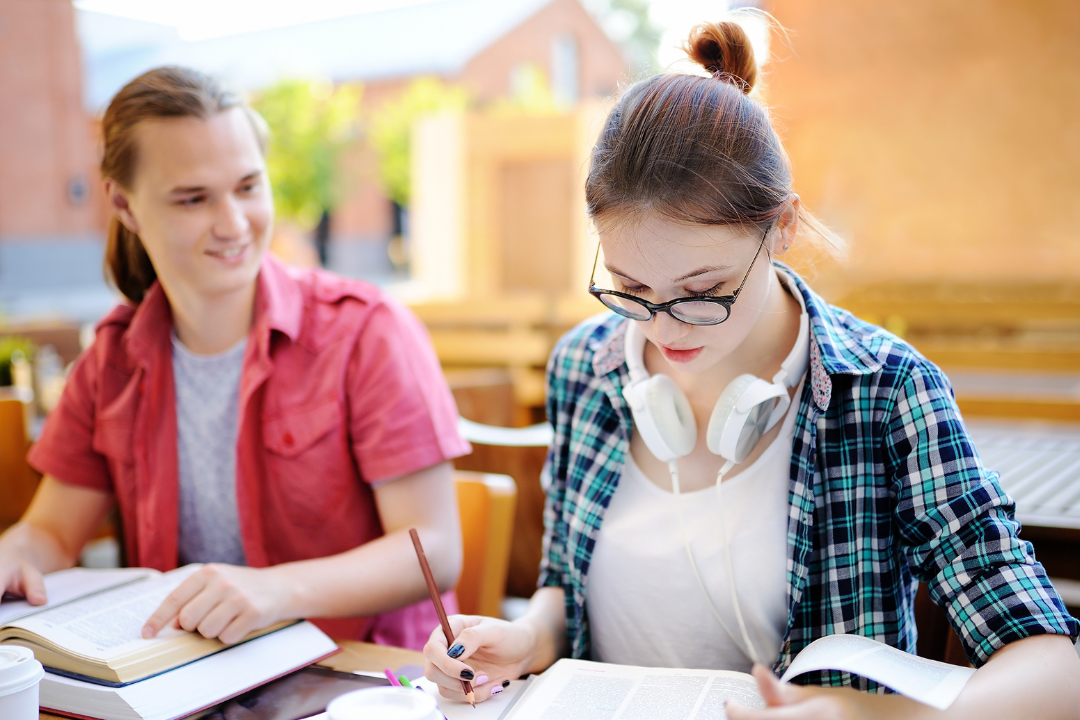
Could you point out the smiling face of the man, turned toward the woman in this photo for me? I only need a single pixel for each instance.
(200, 201)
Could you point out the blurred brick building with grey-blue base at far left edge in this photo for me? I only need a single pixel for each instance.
(50, 211)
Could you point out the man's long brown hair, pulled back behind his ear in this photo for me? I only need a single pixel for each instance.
(165, 92)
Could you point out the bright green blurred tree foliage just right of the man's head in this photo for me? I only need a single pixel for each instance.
(312, 126)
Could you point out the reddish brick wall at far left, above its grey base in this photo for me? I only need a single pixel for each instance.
(46, 140)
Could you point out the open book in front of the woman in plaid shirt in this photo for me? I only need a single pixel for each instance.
(580, 690)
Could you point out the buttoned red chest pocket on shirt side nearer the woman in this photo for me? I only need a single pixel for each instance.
(309, 465)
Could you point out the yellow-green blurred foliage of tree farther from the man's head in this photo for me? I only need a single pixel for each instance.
(390, 129)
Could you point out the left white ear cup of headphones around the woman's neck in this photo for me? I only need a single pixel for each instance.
(663, 417)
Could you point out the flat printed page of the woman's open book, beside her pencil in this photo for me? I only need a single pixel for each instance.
(582, 690)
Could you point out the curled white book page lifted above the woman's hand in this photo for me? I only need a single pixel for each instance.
(925, 681)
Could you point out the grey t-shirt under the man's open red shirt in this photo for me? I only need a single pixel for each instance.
(208, 414)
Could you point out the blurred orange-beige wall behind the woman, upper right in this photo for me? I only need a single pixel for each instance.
(941, 137)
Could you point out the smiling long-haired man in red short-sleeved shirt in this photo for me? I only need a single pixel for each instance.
(285, 428)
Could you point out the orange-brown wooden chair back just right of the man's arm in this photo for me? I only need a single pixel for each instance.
(487, 504)
